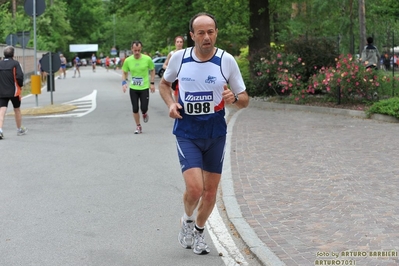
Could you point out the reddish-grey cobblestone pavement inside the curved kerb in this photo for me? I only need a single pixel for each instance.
(318, 187)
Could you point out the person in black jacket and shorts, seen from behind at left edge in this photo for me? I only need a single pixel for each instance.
(11, 82)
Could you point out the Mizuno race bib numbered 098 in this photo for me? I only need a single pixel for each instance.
(199, 103)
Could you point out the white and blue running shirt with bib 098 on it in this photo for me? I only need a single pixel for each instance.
(200, 92)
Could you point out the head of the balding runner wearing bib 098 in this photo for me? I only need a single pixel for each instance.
(204, 33)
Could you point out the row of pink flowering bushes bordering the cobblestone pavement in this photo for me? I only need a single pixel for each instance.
(287, 74)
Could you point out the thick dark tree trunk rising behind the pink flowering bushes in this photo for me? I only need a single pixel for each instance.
(259, 42)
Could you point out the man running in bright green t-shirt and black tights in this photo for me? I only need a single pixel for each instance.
(141, 82)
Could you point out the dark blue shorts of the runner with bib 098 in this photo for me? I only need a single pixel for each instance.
(207, 154)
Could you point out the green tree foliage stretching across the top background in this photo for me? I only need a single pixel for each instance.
(241, 22)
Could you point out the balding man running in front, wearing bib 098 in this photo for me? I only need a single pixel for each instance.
(208, 78)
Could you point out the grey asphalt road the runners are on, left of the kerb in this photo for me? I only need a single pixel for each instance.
(81, 189)
